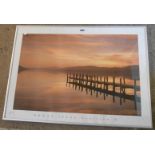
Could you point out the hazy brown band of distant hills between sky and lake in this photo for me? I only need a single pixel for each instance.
(129, 71)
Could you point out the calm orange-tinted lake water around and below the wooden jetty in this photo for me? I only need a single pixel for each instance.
(48, 91)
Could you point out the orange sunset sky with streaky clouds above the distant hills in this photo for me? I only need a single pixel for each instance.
(44, 51)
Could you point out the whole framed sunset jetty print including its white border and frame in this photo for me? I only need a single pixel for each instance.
(87, 75)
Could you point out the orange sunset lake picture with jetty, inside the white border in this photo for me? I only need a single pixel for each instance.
(79, 73)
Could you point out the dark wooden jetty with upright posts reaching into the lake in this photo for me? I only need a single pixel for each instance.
(101, 84)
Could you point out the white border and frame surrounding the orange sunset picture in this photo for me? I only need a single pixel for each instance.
(141, 121)
